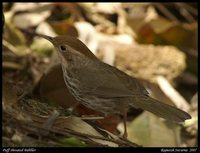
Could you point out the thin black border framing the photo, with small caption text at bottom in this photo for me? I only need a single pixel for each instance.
(96, 149)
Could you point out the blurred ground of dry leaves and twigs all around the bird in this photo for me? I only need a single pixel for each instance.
(154, 42)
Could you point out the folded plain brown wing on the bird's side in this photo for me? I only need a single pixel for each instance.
(103, 80)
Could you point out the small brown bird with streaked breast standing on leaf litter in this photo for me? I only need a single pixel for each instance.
(103, 87)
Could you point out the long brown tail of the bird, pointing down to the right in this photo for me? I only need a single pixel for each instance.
(160, 109)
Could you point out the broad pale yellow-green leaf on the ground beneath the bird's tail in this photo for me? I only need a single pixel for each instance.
(152, 131)
